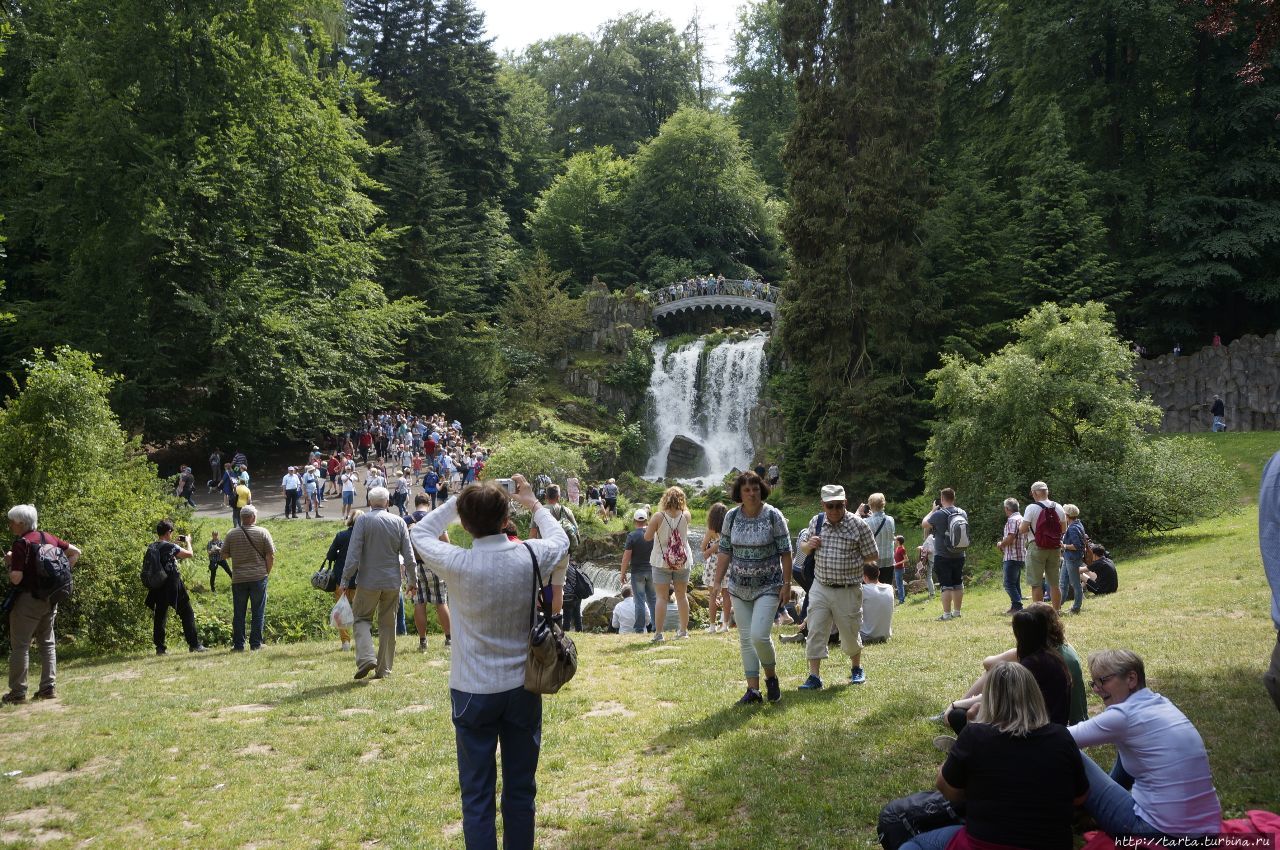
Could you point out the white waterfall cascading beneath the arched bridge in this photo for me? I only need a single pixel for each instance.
(706, 400)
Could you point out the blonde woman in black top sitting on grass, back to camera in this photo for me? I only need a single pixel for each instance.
(1020, 776)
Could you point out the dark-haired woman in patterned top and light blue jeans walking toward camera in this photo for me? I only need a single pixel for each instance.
(755, 565)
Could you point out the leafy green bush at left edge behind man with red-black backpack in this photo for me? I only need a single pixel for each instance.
(63, 450)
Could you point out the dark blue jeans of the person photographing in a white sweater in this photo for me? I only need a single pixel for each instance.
(481, 723)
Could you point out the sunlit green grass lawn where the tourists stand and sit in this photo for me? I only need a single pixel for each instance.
(643, 750)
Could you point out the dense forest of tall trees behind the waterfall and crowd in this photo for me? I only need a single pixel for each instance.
(268, 217)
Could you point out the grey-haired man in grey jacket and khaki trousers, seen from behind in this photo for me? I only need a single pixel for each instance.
(378, 554)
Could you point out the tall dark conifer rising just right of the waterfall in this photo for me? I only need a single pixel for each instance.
(866, 107)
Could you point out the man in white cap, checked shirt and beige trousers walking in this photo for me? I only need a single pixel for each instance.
(840, 550)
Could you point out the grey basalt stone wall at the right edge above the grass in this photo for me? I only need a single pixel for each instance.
(1246, 374)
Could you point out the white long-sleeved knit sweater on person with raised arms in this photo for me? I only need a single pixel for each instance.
(491, 596)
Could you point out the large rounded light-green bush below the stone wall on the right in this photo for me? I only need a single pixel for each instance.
(1060, 404)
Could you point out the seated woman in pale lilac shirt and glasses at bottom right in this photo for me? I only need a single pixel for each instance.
(1162, 783)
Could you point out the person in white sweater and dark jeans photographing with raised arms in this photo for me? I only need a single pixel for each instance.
(491, 600)
